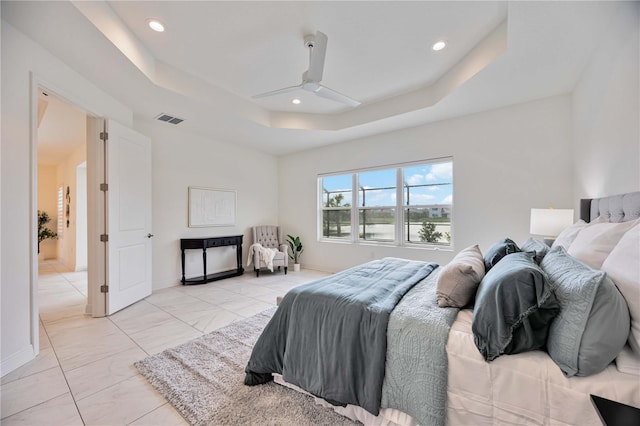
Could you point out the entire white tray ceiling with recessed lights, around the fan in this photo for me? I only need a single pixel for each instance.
(214, 56)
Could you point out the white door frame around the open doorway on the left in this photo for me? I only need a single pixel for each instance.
(37, 82)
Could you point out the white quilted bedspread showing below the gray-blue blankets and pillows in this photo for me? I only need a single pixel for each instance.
(526, 389)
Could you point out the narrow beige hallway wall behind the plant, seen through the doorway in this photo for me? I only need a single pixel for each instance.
(48, 202)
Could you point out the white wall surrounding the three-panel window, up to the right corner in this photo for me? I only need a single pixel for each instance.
(506, 161)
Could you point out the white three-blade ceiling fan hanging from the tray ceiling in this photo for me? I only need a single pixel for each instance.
(317, 45)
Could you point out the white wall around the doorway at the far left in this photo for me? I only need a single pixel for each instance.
(22, 58)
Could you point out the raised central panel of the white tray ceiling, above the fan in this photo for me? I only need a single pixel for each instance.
(375, 49)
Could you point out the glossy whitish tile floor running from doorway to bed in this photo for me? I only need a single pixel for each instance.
(84, 373)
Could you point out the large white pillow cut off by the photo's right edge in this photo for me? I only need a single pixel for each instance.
(623, 267)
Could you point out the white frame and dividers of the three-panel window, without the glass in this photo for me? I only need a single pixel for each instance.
(400, 239)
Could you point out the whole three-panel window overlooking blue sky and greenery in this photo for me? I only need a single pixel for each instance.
(403, 205)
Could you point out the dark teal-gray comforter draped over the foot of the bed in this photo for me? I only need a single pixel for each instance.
(329, 337)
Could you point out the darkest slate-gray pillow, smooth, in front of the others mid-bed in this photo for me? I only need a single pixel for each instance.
(514, 307)
